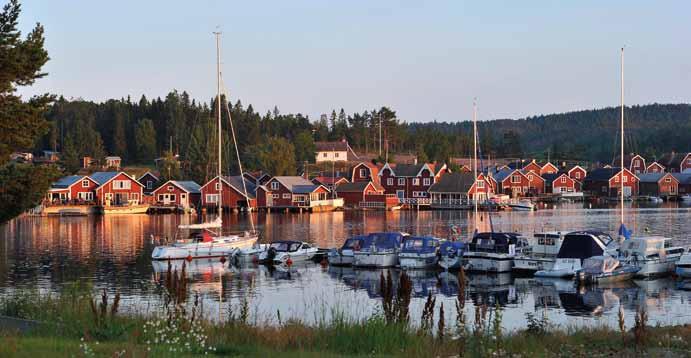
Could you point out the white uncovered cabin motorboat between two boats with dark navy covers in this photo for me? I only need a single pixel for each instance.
(541, 255)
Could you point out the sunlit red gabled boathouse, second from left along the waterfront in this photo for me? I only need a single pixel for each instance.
(117, 188)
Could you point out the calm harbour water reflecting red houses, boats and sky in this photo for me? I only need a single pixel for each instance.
(113, 252)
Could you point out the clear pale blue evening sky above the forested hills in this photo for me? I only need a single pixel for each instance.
(427, 60)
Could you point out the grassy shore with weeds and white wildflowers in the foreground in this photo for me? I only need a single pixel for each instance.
(79, 322)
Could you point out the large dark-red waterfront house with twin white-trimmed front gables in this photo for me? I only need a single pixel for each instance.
(410, 182)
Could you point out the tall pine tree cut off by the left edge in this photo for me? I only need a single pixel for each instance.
(21, 123)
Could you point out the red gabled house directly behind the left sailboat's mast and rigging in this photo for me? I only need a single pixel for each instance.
(233, 193)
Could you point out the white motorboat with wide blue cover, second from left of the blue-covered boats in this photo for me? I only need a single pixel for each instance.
(379, 250)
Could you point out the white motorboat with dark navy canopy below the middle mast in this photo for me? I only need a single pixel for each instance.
(493, 251)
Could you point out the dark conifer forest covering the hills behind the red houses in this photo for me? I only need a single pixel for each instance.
(140, 131)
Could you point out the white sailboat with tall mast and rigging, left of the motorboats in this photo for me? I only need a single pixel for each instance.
(207, 239)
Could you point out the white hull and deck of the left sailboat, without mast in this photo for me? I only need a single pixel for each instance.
(204, 244)
